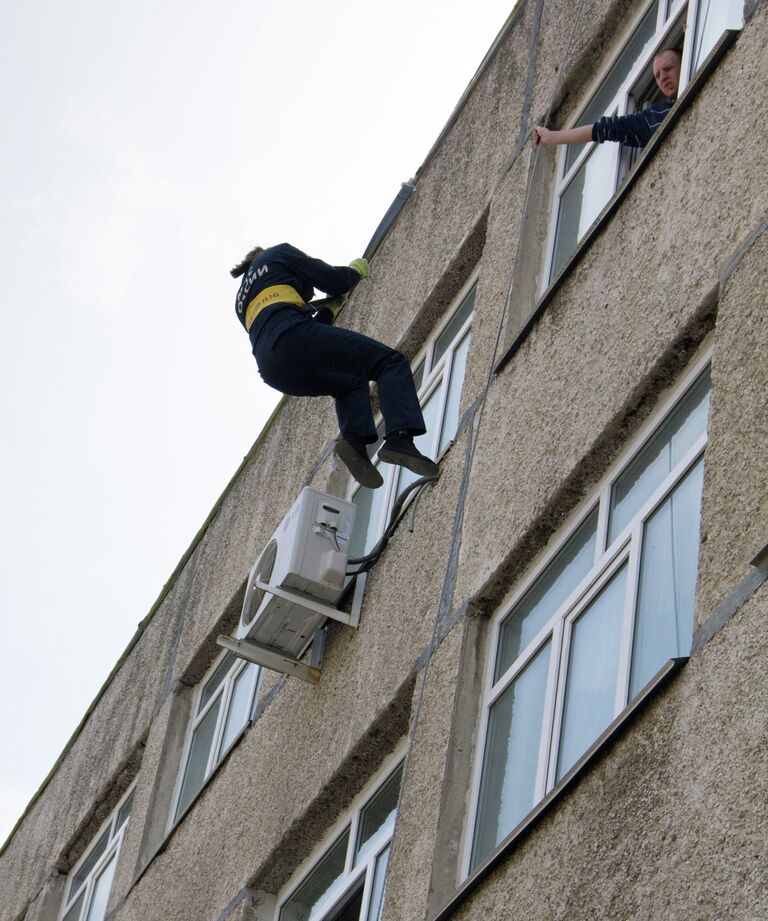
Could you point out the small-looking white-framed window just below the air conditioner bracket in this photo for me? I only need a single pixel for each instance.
(223, 709)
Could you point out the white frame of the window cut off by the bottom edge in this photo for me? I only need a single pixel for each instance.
(354, 870)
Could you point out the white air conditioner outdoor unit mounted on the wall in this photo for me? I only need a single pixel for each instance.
(304, 561)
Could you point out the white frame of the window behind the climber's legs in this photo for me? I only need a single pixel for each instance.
(439, 376)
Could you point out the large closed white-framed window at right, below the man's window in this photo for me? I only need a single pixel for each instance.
(594, 621)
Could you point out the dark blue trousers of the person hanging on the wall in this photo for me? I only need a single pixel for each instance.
(309, 359)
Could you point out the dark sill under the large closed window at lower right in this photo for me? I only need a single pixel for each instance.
(590, 757)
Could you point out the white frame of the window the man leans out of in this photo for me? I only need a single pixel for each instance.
(667, 19)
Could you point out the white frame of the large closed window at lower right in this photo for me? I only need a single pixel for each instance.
(626, 548)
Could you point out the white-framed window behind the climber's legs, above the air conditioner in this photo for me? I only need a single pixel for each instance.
(438, 372)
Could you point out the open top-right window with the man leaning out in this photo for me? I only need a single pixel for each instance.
(587, 175)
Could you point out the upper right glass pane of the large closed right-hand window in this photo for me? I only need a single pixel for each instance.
(657, 459)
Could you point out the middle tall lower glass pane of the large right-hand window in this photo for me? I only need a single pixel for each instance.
(590, 689)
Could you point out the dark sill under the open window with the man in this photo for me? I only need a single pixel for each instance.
(675, 114)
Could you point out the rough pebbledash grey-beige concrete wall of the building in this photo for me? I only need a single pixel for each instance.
(664, 823)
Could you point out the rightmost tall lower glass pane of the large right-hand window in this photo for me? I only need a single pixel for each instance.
(668, 567)
